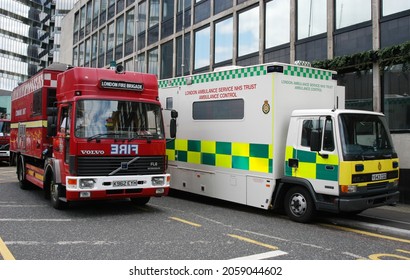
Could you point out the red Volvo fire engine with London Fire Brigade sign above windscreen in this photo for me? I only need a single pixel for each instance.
(90, 133)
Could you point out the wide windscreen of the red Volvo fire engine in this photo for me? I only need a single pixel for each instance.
(118, 119)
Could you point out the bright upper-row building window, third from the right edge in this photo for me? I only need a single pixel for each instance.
(312, 18)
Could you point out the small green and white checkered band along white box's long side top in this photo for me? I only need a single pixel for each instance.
(253, 71)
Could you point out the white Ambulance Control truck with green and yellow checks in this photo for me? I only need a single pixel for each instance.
(277, 136)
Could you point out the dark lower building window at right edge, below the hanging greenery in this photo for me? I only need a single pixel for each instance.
(396, 88)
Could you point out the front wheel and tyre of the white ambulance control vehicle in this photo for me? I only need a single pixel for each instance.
(299, 205)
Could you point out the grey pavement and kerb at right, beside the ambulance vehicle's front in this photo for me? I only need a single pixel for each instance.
(388, 220)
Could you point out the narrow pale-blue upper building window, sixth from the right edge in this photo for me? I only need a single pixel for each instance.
(223, 40)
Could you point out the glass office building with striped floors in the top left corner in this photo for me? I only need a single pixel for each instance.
(29, 38)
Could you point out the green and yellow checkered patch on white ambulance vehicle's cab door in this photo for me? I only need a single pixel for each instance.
(311, 165)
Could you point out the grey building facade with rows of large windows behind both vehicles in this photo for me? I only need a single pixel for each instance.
(366, 41)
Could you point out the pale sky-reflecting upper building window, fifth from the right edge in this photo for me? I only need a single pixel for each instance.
(248, 32)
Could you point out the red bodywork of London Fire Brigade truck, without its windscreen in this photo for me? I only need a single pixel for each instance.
(37, 105)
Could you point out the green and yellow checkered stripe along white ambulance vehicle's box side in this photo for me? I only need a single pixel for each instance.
(244, 156)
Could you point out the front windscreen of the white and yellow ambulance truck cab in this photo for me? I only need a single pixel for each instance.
(365, 137)
